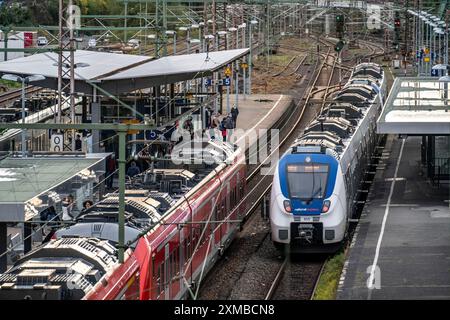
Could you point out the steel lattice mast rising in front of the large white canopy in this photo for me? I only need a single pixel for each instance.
(66, 60)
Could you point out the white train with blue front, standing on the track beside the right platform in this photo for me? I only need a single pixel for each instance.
(316, 182)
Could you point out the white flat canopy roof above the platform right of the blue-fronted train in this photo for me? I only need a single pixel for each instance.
(416, 106)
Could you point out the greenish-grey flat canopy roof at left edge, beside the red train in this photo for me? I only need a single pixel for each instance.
(26, 182)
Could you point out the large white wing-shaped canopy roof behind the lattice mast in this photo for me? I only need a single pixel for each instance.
(120, 73)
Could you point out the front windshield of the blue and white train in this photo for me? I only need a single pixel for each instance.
(307, 181)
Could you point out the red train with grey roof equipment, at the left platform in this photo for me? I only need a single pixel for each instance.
(178, 220)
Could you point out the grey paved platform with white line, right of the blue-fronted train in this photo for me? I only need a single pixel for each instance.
(404, 231)
